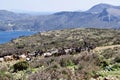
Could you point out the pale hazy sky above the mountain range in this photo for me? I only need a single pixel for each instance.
(52, 5)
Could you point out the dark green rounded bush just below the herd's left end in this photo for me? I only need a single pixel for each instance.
(23, 65)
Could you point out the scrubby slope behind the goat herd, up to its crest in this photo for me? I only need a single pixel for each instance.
(62, 39)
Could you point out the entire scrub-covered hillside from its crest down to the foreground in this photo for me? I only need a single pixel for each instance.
(95, 55)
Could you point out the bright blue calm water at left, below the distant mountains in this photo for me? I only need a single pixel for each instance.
(6, 36)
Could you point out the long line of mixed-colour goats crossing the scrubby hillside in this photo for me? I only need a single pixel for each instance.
(51, 52)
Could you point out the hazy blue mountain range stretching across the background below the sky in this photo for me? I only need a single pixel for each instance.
(99, 16)
